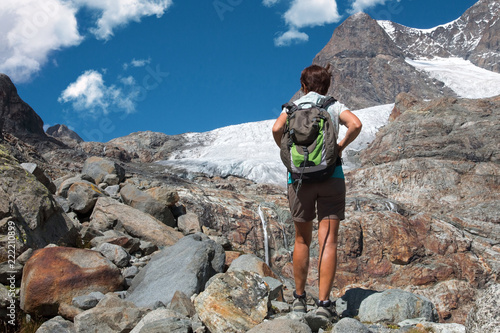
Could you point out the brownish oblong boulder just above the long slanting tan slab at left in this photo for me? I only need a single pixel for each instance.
(144, 202)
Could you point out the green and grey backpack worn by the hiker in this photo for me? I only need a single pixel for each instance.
(309, 143)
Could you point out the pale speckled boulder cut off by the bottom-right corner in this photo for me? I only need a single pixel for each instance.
(485, 314)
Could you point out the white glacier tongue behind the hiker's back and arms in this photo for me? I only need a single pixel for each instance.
(249, 151)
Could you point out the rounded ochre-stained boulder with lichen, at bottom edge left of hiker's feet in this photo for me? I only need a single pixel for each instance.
(233, 302)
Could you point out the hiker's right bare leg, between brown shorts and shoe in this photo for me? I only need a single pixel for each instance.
(327, 238)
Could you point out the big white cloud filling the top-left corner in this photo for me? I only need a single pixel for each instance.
(30, 30)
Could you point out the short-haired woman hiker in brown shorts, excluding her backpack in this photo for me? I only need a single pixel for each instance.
(324, 200)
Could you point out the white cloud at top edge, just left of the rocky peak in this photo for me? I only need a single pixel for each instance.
(306, 13)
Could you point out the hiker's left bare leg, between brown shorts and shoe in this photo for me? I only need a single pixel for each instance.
(303, 236)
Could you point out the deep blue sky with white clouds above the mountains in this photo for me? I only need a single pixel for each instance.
(107, 68)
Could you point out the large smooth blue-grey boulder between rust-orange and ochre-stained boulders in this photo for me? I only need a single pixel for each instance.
(185, 266)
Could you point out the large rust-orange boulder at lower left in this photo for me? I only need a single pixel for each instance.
(55, 275)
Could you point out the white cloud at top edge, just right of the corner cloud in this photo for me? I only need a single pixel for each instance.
(116, 13)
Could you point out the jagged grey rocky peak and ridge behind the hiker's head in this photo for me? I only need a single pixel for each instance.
(368, 56)
